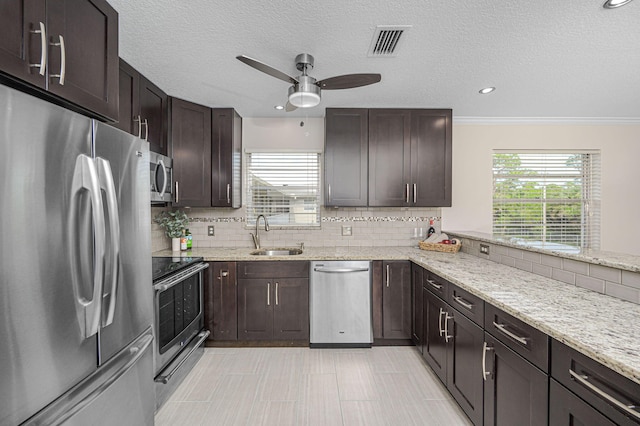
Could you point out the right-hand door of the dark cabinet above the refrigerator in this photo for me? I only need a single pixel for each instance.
(87, 57)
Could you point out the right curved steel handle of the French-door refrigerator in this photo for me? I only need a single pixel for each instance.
(112, 251)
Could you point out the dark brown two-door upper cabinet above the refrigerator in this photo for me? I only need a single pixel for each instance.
(65, 48)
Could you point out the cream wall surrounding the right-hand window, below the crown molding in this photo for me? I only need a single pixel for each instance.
(473, 146)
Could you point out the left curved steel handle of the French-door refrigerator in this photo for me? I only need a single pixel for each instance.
(85, 179)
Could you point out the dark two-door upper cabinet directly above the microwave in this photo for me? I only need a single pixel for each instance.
(143, 109)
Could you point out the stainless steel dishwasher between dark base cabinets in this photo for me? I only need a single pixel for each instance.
(340, 304)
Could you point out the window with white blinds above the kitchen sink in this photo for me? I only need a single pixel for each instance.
(283, 186)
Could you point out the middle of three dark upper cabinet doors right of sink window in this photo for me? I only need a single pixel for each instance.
(389, 157)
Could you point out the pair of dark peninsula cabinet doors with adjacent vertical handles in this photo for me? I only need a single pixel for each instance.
(452, 346)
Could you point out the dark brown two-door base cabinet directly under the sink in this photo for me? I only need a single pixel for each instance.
(272, 305)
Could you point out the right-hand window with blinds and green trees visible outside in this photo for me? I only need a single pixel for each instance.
(547, 199)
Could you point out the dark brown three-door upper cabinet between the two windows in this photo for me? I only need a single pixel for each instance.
(408, 155)
